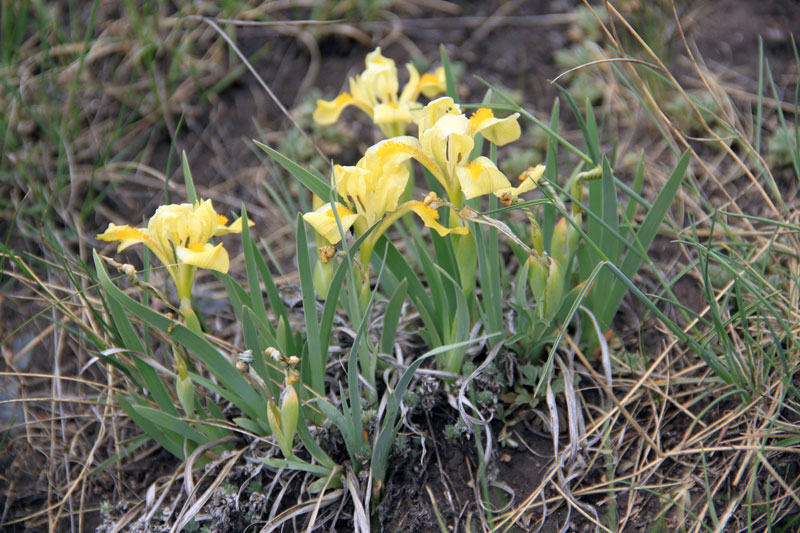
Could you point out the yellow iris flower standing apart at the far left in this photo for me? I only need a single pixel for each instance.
(178, 236)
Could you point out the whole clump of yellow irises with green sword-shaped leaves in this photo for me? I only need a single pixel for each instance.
(491, 269)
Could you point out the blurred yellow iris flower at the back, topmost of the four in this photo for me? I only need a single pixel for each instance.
(375, 92)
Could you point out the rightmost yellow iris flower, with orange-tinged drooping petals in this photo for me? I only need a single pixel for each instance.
(446, 138)
